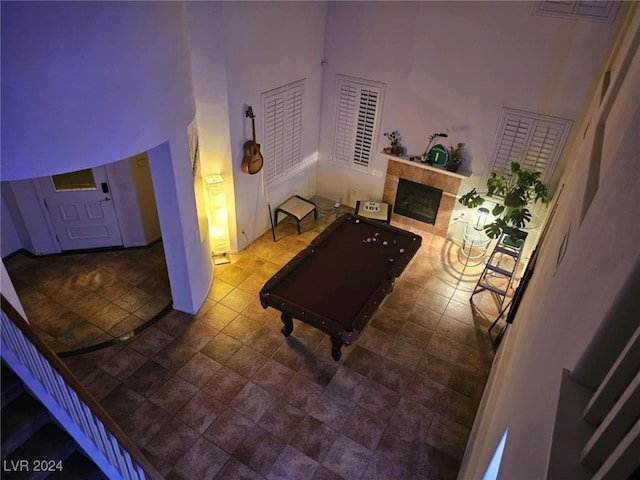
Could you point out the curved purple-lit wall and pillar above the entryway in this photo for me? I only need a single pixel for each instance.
(89, 83)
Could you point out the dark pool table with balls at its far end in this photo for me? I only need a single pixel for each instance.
(341, 278)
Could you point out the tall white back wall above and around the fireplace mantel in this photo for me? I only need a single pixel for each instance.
(452, 67)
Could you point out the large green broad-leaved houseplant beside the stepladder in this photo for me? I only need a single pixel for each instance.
(513, 194)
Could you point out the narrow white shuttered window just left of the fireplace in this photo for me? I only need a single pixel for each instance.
(358, 106)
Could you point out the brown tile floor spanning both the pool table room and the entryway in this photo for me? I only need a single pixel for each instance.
(223, 395)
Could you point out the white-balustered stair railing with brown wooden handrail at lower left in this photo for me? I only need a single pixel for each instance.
(97, 434)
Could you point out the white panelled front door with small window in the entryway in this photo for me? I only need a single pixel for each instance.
(81, 209)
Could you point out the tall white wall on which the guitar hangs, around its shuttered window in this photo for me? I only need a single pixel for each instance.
(266, 45)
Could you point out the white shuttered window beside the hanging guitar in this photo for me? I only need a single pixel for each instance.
(282, 126)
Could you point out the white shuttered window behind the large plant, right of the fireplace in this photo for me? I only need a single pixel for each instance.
(532, 140)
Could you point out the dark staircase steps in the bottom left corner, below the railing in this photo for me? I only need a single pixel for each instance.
(34, 446)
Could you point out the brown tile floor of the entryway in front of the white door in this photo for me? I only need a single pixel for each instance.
(80, 299)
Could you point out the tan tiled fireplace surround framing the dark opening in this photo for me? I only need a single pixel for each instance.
(435, 177)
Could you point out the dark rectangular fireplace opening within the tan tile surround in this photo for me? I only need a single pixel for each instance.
(417, 201)
